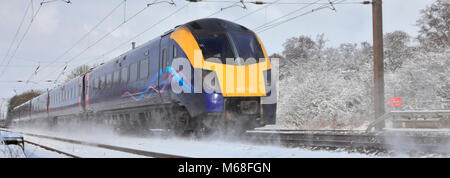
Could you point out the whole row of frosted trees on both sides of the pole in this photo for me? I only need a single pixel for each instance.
(332, 87)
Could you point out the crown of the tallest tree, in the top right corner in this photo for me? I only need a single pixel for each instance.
(434, 25)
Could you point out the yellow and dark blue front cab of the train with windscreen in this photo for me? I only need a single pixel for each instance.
(239, 98)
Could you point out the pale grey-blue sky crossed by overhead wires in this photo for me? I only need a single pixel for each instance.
(58, 26)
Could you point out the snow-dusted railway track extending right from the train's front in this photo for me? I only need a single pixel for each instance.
(353, 140)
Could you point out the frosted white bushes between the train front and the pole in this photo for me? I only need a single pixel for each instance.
(324, 87)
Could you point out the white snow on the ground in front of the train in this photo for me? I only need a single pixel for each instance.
(205, 148)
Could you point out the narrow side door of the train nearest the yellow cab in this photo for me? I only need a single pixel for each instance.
(164, 77)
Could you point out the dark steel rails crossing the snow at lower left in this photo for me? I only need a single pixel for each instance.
(98, 145)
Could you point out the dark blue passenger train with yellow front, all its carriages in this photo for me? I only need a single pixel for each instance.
(136, 89)
